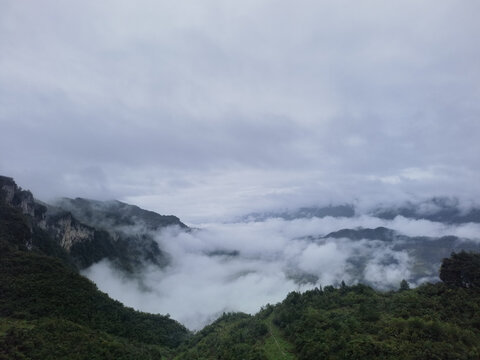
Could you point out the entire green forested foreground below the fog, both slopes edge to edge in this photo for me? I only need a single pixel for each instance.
(49, 311)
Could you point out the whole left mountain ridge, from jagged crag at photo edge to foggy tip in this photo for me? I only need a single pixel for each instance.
(83, 232)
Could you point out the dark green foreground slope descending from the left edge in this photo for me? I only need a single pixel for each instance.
(47, 308)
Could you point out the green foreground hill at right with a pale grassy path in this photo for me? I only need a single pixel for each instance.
(434, 321)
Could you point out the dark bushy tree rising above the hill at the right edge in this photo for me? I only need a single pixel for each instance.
(461, 270)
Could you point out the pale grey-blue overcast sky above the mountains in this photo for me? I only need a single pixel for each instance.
(213, 108)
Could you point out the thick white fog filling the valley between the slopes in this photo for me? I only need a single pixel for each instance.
(221, 267)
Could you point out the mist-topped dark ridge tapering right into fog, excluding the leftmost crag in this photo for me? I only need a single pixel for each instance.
(114, 230)
